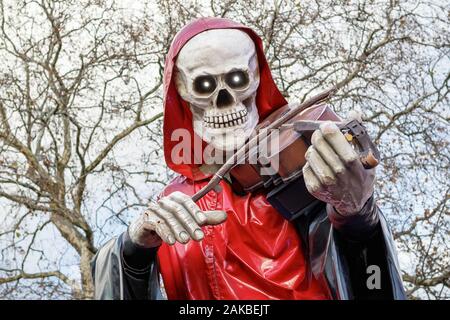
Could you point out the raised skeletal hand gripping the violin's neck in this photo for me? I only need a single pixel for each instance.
(334, 173)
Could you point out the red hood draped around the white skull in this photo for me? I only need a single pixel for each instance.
(176, 111)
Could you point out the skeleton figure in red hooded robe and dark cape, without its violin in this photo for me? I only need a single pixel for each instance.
(230, 246)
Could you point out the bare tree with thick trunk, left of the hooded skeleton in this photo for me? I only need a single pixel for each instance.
(71, 92)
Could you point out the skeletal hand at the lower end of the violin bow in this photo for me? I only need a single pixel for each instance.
(174, 218)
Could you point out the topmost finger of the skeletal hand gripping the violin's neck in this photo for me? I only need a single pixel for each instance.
(337, 141)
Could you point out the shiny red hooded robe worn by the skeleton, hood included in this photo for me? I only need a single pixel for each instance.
(255, 253)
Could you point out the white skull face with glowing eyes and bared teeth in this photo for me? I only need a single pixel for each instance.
(217, 74)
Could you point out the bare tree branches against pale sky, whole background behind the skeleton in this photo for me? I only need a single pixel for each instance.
(80, 102)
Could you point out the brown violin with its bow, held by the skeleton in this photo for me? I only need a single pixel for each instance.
(272, 159)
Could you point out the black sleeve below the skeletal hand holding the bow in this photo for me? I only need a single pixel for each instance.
(137, 264)
